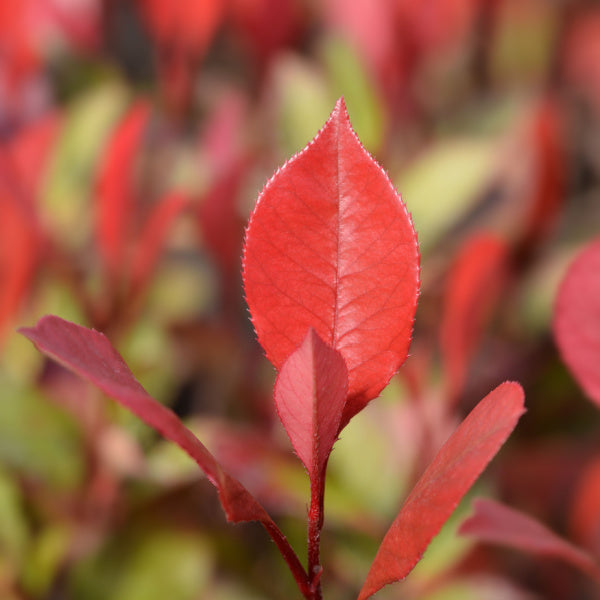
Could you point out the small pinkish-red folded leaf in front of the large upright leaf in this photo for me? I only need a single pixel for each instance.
(310, 393)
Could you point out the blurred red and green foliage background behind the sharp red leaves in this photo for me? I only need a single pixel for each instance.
(135, 138)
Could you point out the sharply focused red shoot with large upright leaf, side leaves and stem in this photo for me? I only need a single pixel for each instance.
(331, 275)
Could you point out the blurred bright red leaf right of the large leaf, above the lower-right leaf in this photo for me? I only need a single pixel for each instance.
(475, 282)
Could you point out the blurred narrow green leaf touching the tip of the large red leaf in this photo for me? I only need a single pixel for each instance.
(350, 79)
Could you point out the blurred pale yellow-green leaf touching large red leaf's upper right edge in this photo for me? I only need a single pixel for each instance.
(463, 168)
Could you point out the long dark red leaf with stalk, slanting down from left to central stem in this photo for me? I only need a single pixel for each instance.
(89, 354)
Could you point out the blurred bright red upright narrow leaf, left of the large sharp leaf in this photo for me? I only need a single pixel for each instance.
(116, 198)
